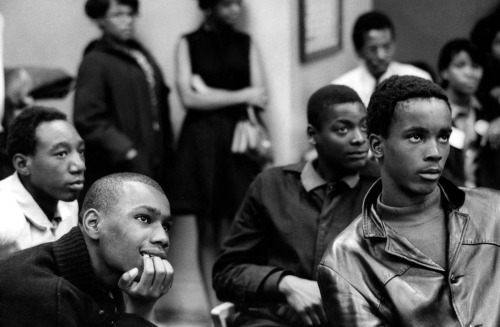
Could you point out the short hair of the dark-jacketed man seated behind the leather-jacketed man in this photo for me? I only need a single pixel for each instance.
(324, 98)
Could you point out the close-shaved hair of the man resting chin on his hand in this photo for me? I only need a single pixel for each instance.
(104, 193)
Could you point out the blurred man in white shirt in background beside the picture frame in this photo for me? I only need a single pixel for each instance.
(374, 39)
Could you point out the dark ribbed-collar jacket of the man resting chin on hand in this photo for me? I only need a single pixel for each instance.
(53, 285)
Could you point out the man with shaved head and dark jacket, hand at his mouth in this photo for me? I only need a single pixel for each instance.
(120, 244)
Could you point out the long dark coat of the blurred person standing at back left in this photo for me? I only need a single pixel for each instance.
(114, 112)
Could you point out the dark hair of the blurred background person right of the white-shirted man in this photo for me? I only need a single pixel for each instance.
(453, 48)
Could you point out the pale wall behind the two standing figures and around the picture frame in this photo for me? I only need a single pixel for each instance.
(54, 33)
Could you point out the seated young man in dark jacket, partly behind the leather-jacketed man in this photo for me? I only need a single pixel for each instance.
(291, 213)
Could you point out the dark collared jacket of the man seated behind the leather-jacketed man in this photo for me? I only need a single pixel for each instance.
(286, 221)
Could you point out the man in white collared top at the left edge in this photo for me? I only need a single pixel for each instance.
(37, 202)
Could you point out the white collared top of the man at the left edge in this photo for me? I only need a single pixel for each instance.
(23, 223)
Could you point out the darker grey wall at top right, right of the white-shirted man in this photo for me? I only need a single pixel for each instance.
(424, 26)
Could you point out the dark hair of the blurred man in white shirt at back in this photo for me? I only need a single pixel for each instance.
(373, 20)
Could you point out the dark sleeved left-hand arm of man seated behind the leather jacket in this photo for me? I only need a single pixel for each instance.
(241, 270)
